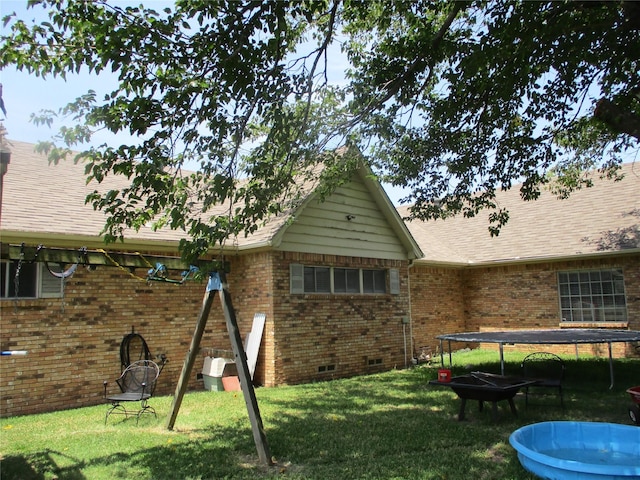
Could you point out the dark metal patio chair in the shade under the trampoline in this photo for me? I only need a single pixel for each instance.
(547, 369)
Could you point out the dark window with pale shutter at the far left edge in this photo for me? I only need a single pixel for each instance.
(34, 281)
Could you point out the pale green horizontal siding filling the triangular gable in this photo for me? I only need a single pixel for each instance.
(324, 227)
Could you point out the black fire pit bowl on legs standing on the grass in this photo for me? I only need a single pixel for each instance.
(484, 387)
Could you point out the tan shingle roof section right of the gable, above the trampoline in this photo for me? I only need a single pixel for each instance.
(596, 220)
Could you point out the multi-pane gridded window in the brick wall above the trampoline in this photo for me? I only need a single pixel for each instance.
(592, 296)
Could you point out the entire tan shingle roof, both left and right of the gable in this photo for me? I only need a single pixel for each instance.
(41, 200)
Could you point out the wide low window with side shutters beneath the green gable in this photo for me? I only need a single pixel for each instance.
(312, 279)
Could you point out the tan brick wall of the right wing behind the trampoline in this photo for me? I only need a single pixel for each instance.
(447, 300)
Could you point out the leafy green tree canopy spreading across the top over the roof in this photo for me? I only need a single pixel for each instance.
(452, 99)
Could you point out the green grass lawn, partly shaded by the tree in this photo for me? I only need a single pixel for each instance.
(386, 426)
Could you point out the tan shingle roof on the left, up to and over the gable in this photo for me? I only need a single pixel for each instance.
(42, 201)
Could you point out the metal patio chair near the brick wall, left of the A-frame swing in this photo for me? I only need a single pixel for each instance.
(137, 383)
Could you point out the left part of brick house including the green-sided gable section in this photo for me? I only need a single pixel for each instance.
(332, 280)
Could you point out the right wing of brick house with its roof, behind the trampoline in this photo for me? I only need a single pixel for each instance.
(572, 263)
